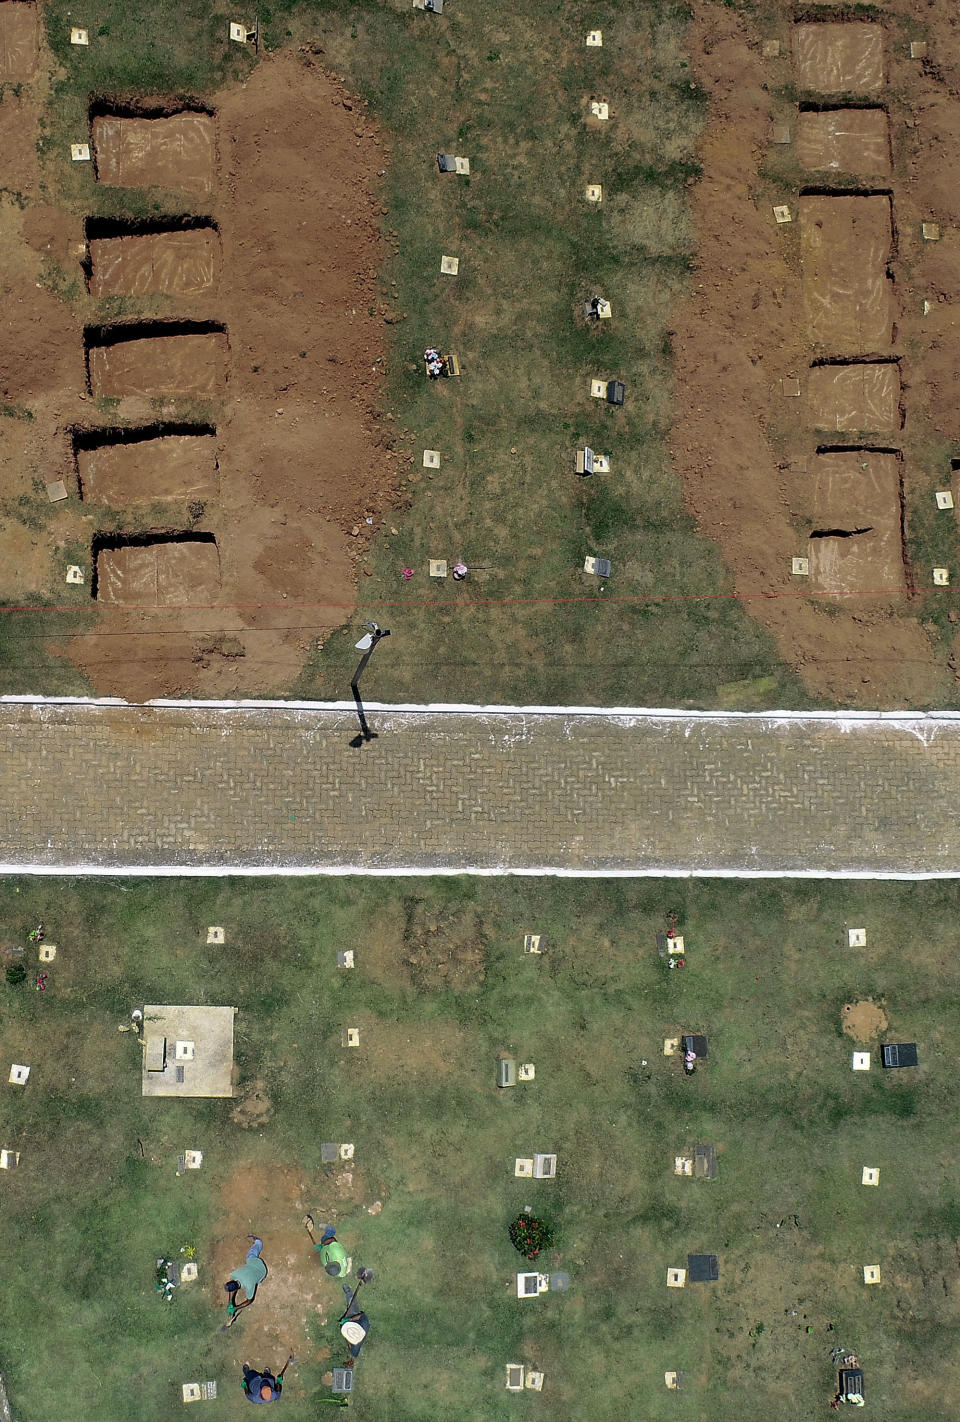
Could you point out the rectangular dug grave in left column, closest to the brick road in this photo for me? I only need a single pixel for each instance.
(156, 570)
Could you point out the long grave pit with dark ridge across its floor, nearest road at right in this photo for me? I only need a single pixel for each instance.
(857, 545)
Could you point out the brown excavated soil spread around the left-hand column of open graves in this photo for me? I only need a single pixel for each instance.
(302, 460)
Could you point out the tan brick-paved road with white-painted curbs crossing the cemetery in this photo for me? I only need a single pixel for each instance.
(272, 788)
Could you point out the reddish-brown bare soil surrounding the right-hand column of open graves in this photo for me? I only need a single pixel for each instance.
(747, 454)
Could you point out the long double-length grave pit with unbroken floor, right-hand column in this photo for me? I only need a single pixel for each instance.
(846, 250)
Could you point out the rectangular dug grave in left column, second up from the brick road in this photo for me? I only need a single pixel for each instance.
(146, 466)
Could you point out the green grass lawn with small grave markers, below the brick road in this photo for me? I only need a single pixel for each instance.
(440, 988)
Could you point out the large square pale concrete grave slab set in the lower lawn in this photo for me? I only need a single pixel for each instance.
(210, 1071)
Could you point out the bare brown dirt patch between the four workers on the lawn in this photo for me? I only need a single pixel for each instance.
(271, 1202)
